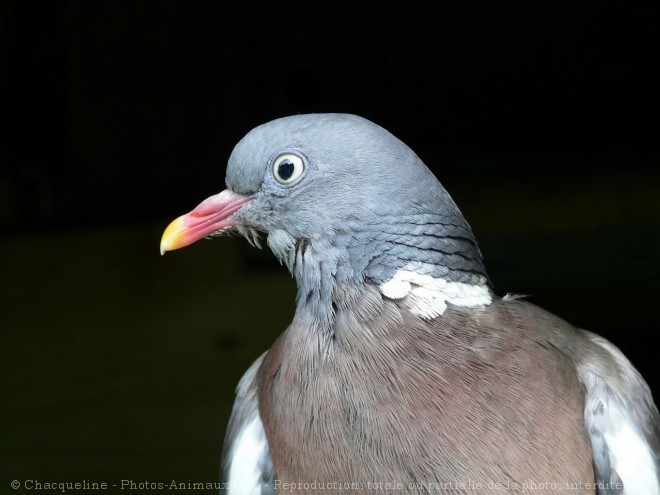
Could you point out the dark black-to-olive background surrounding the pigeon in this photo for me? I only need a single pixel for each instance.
(541, 118)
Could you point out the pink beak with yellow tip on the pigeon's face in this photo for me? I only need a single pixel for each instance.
(211, 215)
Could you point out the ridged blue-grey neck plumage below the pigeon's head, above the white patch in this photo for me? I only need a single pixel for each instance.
(332, 268)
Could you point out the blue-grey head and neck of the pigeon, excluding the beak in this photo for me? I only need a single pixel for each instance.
(344, 202)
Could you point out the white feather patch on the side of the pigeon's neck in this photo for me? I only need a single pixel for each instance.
(427, 296)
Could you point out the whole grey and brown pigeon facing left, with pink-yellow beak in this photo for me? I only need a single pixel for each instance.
(402, 371)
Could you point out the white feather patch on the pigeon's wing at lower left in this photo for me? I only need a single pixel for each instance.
(247, 459)
